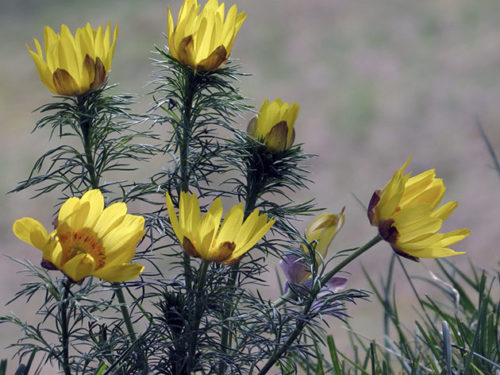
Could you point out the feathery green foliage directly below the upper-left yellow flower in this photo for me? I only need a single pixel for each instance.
(107, 134)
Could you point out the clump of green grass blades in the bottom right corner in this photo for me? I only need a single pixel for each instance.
(457, 332)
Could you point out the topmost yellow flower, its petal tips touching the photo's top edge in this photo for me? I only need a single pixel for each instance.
(203, 41)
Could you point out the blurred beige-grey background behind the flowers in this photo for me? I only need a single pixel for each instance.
(376, 81)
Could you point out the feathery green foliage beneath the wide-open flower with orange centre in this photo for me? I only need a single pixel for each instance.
(84, 312)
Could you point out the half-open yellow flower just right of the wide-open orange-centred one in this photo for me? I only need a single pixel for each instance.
(201, 237)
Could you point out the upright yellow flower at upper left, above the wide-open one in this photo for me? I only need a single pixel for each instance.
(74, 65)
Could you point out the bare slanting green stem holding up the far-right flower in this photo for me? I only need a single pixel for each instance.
(302, 322)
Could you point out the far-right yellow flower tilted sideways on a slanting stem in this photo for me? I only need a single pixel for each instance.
(406, 214)
